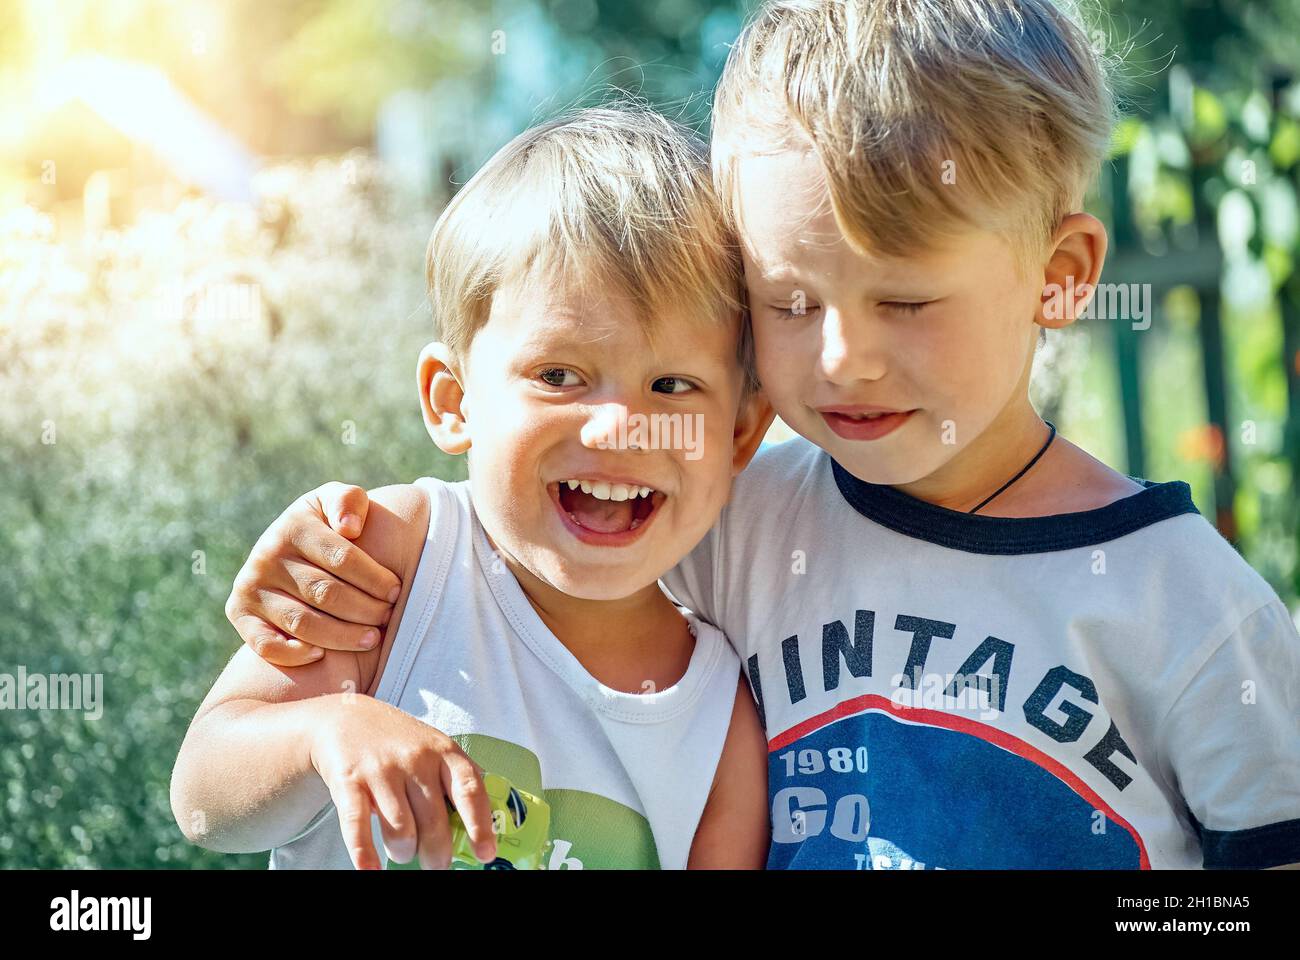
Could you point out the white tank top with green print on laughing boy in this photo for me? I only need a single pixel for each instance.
(626, 775)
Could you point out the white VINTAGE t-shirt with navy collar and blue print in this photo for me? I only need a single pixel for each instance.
(1113, 689)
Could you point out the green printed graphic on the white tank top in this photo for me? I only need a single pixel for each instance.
(588, 831)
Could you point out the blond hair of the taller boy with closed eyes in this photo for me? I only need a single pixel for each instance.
(926, 115)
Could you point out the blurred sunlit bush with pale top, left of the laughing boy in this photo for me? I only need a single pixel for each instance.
(175, 443)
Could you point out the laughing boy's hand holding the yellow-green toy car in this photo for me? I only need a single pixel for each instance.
(375, 758)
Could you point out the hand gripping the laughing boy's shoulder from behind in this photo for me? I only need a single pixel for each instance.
(307, 587)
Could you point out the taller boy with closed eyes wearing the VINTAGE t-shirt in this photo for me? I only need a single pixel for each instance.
(973, 645)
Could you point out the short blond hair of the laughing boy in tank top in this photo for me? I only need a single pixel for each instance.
(614, 196)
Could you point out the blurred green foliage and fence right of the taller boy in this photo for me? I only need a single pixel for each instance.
(1210, 157)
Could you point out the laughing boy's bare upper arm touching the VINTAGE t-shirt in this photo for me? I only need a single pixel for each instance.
(734, 832)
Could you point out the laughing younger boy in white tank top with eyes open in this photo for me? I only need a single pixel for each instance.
(531, 638)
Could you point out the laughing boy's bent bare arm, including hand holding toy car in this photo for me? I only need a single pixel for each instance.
(270, 749)
